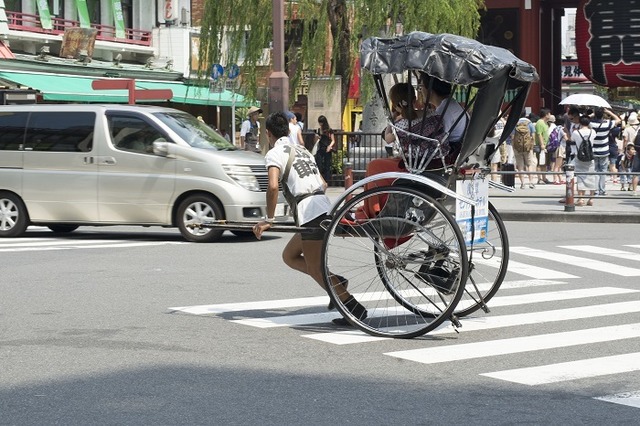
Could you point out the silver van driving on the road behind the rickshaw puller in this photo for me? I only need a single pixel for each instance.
(65, 166)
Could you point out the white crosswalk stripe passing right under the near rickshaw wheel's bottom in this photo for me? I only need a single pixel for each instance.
(493, 322)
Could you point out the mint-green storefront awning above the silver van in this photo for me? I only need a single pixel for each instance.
(68, 88)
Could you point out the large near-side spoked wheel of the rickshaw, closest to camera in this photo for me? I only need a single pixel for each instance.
(403, 256)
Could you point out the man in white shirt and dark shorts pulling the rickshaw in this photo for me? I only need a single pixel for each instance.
(293, 167)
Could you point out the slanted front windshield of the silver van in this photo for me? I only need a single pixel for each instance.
(194, 132)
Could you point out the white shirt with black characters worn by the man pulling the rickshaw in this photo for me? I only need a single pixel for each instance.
(304, 178)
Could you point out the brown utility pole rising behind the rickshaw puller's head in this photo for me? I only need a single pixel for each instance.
(278, 80)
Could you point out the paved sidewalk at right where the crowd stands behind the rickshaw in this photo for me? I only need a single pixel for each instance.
(541, 205)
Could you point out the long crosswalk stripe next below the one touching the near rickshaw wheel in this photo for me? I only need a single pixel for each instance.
(519, 344)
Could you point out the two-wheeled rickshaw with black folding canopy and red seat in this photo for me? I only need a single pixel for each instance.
(395, 237)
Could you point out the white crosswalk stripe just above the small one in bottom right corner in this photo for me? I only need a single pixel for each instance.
(572, 370)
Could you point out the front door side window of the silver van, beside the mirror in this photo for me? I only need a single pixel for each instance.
(133, 134)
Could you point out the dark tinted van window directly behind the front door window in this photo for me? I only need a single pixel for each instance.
(60, 131)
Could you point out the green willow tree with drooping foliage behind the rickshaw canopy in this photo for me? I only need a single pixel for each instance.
(247, 28)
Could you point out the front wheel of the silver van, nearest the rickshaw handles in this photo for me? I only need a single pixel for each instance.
(195, 210)
